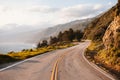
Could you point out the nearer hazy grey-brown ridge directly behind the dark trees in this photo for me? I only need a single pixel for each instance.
(53, 31)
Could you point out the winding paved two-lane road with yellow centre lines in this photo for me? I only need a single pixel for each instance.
(64, 64)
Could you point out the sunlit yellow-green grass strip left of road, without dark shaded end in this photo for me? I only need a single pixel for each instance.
(24, 54)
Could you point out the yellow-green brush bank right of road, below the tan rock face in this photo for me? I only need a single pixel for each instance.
(109, 60)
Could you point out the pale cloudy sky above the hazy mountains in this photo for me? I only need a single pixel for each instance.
(44, 13)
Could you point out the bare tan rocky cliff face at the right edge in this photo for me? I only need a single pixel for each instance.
(112, 34)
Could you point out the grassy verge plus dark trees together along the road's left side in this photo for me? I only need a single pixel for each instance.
(63, 40)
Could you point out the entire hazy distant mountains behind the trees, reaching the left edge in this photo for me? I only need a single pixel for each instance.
(34, 36)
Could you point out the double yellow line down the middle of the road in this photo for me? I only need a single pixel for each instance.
(54, 75)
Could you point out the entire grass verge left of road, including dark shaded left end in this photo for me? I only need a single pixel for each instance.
(24, 54)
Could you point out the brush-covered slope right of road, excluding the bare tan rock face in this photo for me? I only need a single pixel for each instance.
(96, 52)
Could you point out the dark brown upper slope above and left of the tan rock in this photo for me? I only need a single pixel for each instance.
(97, 28)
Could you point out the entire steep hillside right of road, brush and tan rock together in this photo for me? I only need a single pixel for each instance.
(105, 35)
